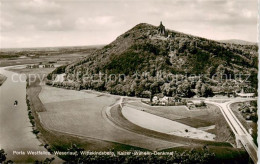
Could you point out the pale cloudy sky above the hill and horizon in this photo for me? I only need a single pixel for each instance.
(50, 23)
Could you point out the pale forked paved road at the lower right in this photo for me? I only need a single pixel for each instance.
(240, 132)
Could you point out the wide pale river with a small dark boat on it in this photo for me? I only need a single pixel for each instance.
(16, 129)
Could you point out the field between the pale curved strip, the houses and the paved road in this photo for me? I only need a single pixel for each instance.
(209, 118)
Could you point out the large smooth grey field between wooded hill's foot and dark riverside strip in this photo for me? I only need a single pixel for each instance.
(82, 115)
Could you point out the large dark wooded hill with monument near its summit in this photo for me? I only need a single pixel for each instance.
(166, 63)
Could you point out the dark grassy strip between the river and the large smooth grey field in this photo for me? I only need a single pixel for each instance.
(58, 141)
